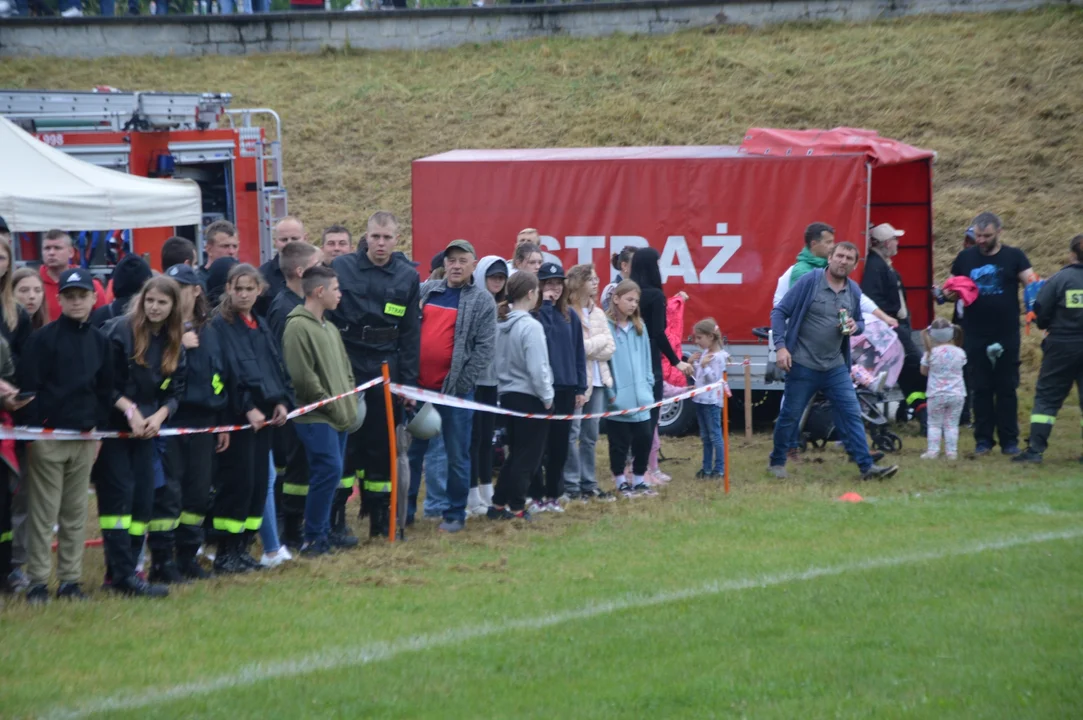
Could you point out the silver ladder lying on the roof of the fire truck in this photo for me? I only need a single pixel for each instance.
(40, 111)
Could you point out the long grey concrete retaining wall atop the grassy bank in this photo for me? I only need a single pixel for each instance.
(420, 30)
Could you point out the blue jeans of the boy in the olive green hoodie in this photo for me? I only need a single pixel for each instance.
(325, 450)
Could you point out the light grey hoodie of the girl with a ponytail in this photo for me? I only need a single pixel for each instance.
(523, 358)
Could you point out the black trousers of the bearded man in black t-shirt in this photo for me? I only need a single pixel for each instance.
(994, 392)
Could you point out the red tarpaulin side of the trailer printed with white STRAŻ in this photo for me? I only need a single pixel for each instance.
(727, 225)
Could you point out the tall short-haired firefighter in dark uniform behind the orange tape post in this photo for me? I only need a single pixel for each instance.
(380, 321)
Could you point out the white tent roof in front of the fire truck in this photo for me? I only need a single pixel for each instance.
(43, 188)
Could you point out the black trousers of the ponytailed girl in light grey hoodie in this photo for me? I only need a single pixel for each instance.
(527, 441)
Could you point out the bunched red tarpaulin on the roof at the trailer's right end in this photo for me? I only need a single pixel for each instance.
(840, 141)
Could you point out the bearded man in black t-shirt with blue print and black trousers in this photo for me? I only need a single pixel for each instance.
(994, 319)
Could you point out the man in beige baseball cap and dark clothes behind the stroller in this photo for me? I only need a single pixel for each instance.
(882, 283)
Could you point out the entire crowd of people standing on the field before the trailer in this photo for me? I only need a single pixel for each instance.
(212, 343)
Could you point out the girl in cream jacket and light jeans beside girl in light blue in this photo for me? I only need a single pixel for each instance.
(581, 478)
